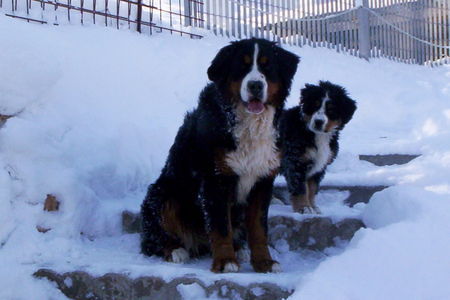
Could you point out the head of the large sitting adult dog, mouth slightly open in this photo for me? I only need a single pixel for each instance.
(254, 72)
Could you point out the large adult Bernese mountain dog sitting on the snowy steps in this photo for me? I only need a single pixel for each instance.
(214, 191)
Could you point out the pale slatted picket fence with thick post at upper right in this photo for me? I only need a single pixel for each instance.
(410, 31)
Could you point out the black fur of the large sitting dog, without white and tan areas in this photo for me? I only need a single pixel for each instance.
(191, 185)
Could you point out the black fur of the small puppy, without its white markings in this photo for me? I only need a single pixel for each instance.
(297, 139)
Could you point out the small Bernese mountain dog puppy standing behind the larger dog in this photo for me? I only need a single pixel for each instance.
(309, 140)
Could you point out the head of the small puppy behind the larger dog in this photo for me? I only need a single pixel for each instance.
(326, 106)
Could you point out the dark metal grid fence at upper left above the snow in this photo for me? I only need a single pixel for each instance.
(146, 16)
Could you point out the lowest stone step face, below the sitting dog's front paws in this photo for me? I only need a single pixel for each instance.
(81, 285)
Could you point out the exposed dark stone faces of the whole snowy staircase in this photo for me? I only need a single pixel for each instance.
(310, 232)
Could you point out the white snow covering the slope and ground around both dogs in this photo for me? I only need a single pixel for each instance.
(97, 110)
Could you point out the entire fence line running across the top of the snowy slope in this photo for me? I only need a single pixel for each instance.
(409, 31)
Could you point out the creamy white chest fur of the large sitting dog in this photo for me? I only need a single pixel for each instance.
(256, 155)
